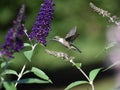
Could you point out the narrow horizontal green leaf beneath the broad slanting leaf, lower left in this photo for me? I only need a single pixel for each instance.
(32, 80)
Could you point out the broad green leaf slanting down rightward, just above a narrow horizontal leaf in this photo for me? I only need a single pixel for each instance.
(40, 74)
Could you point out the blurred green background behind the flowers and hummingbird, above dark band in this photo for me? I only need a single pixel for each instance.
(68, 13)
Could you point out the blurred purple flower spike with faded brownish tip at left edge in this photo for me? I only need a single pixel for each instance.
(13, 42)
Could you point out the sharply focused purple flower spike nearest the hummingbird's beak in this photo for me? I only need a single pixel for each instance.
(41, 27)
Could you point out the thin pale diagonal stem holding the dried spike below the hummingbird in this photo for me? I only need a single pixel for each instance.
(90, 82)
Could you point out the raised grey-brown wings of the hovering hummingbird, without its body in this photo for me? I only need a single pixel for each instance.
(71, 35)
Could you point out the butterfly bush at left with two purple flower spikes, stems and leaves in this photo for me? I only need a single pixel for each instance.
(13, 43)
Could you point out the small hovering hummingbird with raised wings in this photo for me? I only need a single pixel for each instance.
(68, 40)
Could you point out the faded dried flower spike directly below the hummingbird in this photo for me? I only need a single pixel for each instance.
(60, 54)
